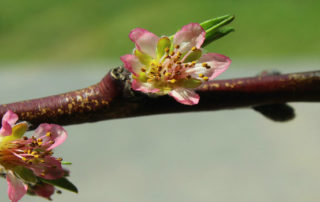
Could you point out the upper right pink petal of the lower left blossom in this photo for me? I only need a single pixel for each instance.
(57, 134)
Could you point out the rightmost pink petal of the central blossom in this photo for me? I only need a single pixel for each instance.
(219, 63)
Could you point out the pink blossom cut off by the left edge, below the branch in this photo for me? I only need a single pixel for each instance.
(26, 160)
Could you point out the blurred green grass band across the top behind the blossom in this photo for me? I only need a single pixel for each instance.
(96, 30)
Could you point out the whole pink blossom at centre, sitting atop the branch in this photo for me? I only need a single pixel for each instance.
(161, 65)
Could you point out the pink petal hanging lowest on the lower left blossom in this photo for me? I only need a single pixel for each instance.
(16, 188)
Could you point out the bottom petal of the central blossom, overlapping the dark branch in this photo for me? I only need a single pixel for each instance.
(185, 96)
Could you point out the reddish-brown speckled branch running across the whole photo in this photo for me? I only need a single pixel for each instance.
(112, 98)
